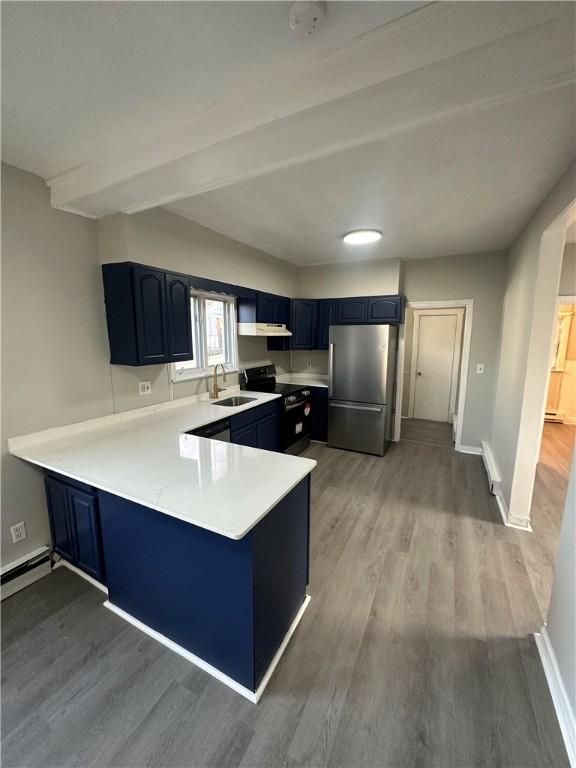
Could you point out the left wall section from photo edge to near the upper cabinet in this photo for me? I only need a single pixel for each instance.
(54, 345)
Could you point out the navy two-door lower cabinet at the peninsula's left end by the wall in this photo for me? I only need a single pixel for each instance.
(75, 525)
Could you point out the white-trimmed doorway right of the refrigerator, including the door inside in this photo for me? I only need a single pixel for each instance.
(433, 354)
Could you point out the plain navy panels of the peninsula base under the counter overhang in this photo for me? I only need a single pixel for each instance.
(229, 602)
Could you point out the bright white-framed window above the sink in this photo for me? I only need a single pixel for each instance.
(214, 336)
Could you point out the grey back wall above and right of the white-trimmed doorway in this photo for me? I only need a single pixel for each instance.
(479, 277)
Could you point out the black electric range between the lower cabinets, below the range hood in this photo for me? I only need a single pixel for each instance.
(296, 411)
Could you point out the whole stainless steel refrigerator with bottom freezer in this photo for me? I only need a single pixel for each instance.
(362, 372)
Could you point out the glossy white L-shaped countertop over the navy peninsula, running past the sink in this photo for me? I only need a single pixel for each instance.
(144, 456)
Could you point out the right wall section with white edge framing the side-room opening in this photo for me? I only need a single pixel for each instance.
(529, 307)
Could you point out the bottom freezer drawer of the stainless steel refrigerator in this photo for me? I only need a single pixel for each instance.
(357, 426)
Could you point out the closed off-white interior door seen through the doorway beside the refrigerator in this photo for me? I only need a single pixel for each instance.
(434, 369)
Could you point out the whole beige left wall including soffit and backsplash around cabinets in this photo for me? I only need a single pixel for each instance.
(55, 367)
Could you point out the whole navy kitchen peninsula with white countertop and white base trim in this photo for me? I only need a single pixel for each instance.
(202, 544)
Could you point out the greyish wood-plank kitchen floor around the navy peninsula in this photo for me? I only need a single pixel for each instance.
(415, 650)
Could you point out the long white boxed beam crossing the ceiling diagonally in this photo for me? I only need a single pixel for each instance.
(428, 66)
